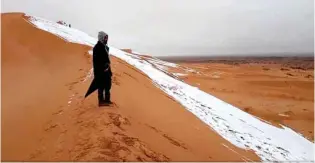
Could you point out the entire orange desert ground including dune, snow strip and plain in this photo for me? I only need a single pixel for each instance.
(162, 111)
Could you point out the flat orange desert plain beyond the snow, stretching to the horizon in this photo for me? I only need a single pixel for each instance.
(277, 90)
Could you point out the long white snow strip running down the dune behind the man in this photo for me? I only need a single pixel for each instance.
(239, 128)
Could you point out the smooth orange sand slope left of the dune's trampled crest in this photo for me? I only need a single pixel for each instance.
(36, 67)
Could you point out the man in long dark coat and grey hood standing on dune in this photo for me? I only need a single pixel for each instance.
(102, 70)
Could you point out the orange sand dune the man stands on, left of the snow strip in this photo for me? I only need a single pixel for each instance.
(45, 117)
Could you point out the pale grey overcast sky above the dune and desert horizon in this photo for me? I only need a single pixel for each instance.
(186, 27)
